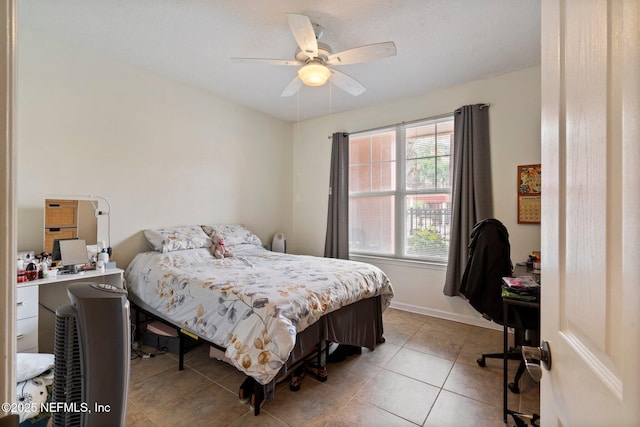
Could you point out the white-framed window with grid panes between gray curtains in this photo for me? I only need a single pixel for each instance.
(400, 190)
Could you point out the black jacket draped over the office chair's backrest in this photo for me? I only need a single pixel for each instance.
(489, 260)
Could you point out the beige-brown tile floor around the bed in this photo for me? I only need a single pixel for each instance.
(425, 374)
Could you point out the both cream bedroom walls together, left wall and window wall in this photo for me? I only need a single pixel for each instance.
(168, 154)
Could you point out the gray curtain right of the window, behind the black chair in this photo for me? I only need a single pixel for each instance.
(472, 196)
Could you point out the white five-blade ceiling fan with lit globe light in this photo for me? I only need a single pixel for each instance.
(314, 58)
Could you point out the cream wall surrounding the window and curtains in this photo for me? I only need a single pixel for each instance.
(515, 140)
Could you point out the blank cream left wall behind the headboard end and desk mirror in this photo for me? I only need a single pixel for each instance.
(163, 153)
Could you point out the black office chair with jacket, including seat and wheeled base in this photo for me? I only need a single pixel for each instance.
(489, 260)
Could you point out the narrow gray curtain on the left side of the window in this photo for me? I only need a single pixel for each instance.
(337, 240)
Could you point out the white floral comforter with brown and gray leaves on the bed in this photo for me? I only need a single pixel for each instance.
(253, 303)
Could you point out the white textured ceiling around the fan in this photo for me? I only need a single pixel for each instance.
(440, 43)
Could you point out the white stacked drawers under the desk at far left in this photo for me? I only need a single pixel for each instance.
(27, 318)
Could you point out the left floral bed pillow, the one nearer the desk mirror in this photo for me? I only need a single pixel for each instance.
(177, 238)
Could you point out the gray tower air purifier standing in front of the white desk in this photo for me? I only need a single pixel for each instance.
(92, 356)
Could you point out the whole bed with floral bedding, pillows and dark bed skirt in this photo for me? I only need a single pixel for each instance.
(267, 310)
